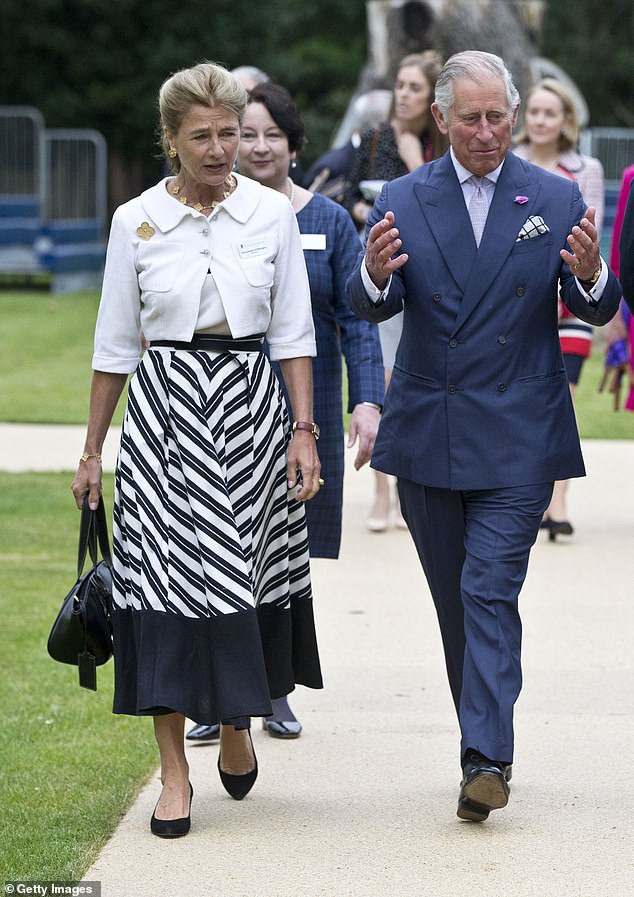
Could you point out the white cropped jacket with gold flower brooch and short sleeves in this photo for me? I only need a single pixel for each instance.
(160, 251)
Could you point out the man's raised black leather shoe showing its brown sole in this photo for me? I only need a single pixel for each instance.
(484, 787)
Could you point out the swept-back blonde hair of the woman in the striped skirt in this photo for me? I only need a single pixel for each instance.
(205, 84)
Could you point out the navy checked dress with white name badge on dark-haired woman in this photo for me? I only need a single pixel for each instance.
(339, 333)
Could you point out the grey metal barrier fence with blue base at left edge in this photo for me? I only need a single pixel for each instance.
(53, 203)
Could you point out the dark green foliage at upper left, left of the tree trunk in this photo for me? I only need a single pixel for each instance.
(100, 63)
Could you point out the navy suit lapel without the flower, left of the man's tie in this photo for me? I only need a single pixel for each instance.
(442, 203)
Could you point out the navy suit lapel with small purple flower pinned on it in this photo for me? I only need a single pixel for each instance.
(504, 222)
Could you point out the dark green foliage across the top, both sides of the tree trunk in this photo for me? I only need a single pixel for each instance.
(100, 63)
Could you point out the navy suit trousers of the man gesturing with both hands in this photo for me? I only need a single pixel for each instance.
(474, 547)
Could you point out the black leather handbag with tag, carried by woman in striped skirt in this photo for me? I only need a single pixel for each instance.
(82, 632)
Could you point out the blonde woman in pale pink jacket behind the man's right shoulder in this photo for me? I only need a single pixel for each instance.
(549, 139)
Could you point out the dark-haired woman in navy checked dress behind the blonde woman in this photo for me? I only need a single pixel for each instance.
(271, 136)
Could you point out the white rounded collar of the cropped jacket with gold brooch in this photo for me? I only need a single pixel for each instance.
(166, 212)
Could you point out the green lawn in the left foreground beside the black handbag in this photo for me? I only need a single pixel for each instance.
(69, 768)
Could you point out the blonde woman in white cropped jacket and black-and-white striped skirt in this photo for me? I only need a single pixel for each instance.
(212, 612)
